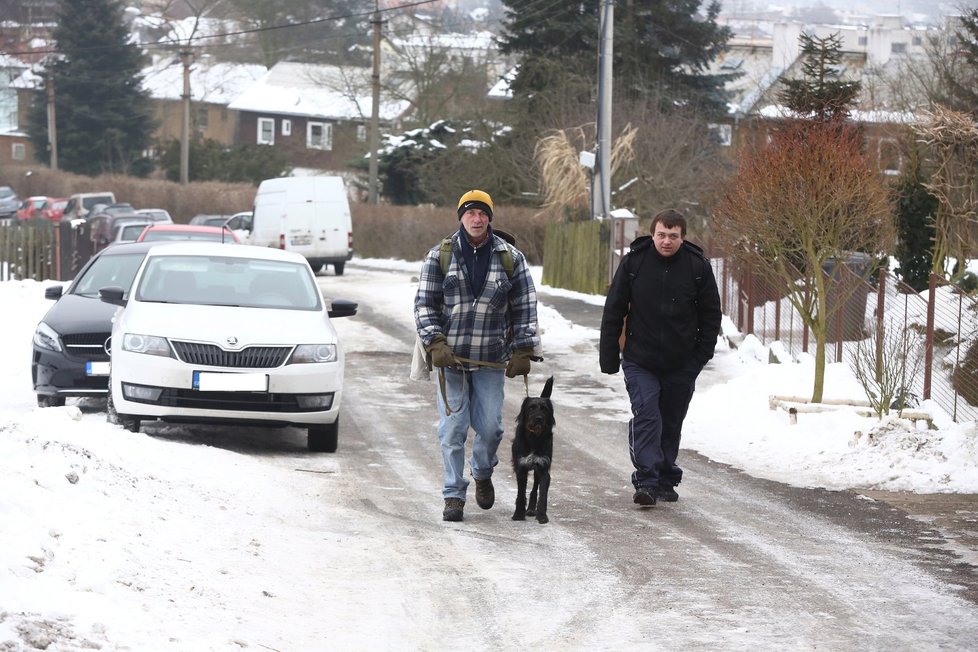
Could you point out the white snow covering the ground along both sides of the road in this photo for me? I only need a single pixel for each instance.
(91, 515)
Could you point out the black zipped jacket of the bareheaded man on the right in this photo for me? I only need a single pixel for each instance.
(672, 305)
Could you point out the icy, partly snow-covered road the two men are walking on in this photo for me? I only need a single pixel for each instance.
(736, 563)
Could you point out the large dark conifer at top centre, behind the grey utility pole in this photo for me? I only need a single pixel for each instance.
(661, 49)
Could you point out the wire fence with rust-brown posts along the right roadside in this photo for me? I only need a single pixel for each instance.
(943, 317)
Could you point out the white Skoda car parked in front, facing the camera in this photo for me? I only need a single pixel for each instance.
(211, 333)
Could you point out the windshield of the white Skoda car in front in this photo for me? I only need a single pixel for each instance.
(229, 281)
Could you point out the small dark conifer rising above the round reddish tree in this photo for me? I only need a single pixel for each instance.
(819, 94)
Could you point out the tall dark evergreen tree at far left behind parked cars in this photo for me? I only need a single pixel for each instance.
(104, 116)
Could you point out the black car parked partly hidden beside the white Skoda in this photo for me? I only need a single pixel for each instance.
(71, 341)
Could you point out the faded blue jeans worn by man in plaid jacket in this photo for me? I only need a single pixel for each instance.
(476, 400)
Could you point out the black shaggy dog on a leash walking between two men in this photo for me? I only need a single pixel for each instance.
(533, 447)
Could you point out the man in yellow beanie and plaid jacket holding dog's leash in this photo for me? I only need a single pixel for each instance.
(478, 321)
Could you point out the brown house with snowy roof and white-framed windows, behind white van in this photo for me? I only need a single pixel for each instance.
(319, 115)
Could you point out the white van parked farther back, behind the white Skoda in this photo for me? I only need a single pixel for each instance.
(307, 215)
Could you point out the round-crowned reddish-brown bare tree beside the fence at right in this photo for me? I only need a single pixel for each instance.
(800, 206)
